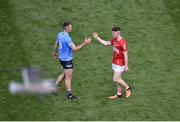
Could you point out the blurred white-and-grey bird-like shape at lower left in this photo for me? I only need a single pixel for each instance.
(33, 84)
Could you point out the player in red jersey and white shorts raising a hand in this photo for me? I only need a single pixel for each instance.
(120, 60)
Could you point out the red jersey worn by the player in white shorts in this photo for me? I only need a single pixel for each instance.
(119, 46)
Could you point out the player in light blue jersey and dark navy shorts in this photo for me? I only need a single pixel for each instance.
(66, 48)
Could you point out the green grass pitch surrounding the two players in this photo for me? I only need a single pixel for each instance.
(151, 28)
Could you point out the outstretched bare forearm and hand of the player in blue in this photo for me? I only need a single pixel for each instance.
(77, 48)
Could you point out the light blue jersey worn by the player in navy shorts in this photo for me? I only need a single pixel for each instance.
(65, 43)
